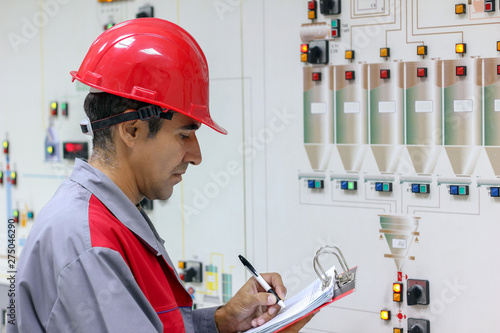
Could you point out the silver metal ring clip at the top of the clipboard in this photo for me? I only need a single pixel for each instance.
(347, 277)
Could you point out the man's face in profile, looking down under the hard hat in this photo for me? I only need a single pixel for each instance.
(160, 162)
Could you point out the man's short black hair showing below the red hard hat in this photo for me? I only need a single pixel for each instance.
(102, 105)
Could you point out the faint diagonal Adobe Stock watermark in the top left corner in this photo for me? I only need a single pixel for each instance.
(31, 26)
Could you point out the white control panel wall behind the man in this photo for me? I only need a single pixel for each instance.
(257, 94)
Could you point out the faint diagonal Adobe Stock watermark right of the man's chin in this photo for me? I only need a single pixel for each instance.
(250, 149)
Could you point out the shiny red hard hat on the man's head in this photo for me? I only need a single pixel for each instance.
(153, 61)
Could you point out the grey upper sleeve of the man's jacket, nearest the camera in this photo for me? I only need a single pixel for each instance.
(98, 293)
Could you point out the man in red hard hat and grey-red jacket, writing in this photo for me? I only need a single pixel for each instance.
(93, 261)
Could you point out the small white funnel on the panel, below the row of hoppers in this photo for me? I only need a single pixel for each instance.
(400, 233)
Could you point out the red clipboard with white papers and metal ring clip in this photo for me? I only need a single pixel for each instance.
(328, 288)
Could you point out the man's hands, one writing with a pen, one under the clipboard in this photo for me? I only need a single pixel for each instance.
(252, 306)
